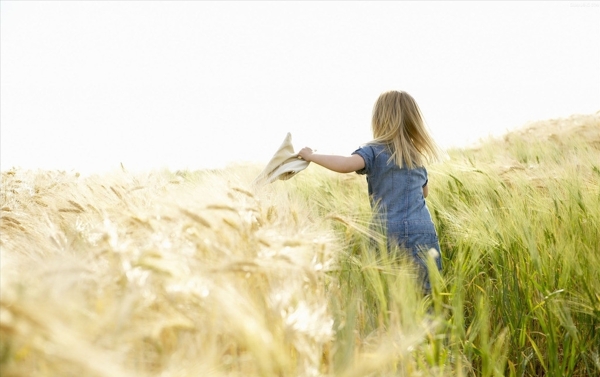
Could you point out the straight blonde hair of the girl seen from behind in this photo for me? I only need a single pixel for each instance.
(398, 123)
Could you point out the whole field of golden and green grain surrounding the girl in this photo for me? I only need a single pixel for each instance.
(198, 273)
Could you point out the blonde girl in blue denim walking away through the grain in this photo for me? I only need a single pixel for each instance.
(397, 179)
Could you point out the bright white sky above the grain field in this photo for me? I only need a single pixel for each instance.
(182, 84)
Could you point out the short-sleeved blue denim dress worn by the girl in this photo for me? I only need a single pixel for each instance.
(397, 195)
